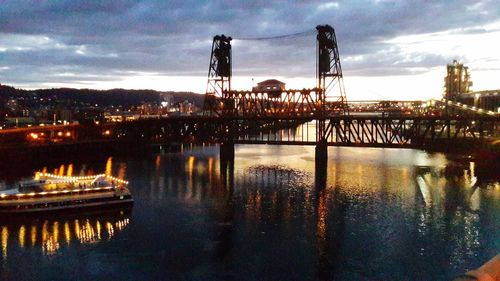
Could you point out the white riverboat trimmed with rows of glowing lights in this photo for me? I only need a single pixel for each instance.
(50, 193)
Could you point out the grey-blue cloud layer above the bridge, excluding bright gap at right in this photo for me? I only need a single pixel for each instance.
(101, 40)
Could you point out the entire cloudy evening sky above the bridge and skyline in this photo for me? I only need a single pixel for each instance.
(389, 49)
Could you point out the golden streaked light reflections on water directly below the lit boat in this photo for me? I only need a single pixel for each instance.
(52, 233)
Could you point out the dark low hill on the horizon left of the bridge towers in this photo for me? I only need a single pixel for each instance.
(102, 97)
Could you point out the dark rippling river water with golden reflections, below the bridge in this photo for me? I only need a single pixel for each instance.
(383, 214)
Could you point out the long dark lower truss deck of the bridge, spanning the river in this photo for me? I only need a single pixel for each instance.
(444, 132)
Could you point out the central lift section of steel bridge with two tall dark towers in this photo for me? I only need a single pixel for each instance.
(242, 109)
